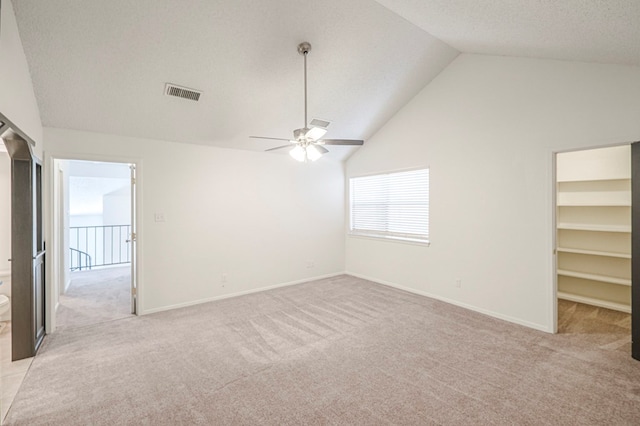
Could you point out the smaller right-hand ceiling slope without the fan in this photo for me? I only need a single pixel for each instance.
(605, 31)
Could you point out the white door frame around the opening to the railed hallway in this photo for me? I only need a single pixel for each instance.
(53, 233)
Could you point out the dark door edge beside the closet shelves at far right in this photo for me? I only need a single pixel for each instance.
(635, 250)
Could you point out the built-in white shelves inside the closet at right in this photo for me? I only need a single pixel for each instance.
(594, 227)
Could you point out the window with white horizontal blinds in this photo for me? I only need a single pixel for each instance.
(392, 205)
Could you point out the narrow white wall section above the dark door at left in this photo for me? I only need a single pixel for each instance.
(18, 102)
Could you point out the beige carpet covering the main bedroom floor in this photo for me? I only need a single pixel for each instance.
(336, 351)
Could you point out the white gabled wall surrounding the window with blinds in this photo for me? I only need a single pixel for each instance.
(487, 127)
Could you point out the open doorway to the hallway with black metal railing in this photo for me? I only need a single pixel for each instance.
(95, 232)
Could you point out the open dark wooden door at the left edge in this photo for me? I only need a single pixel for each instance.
(27, 245)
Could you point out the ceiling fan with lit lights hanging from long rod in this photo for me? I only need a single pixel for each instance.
(307, 143)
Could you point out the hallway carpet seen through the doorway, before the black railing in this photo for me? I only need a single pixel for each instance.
(95, 296)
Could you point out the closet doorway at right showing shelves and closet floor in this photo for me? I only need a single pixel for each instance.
(593, 245)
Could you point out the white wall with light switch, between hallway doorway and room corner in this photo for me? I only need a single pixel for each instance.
(258, 217)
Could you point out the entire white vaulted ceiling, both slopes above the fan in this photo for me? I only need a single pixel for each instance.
(102, 65)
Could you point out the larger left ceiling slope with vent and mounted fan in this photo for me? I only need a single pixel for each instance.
(102, 65)
